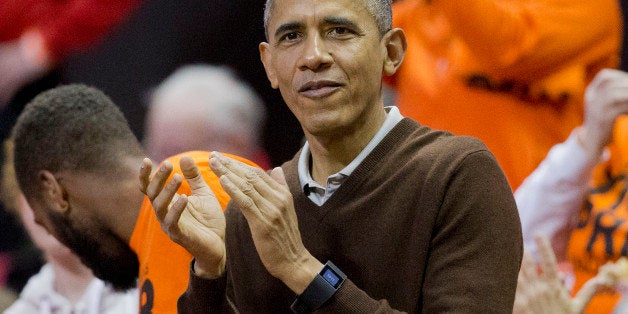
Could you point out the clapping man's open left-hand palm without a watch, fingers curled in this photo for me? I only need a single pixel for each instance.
(196, 222)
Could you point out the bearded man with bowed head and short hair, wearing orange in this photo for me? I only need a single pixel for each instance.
(84, 190)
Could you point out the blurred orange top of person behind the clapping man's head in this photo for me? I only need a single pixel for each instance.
(524, 58)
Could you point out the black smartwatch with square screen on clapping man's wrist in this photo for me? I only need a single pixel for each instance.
(321, 289)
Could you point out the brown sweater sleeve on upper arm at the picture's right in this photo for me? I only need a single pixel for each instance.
(476, 246)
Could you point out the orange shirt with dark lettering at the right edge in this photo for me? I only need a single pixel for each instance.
(602, 233)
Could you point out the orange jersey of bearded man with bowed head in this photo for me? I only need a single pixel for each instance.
(164, 265)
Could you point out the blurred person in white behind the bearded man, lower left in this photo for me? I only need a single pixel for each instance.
(63, 285)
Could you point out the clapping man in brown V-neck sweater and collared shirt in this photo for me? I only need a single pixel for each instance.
(375, 213)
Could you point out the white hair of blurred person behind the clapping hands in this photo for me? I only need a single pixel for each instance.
(212, 95)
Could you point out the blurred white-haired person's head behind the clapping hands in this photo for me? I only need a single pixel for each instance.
(205, 107)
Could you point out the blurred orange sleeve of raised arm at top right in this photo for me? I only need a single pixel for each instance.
(530, 39)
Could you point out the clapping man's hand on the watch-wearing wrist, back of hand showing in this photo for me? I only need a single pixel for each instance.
(266, 203)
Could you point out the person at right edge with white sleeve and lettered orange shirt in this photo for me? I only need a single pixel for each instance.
(577, 195)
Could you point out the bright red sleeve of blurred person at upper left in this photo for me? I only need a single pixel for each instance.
(79, 23)
